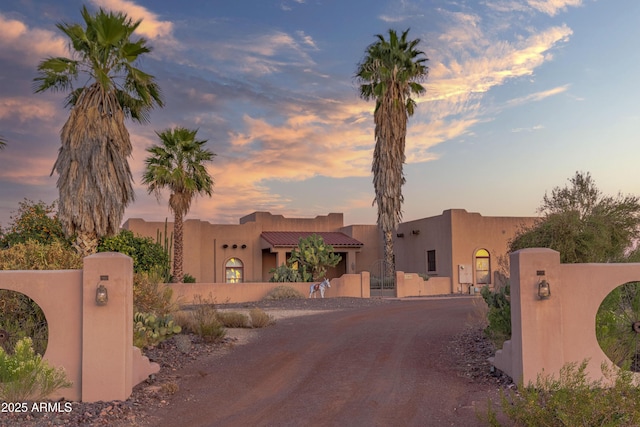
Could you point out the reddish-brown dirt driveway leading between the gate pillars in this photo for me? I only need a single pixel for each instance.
(388, 365)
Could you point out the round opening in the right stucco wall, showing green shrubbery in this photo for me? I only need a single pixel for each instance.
(618, 326)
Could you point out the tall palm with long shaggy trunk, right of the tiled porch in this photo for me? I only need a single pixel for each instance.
(390, 73)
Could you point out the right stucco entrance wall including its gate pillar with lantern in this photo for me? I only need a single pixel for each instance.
(547, 334)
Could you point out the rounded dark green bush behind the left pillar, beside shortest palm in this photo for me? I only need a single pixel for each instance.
(147, 255)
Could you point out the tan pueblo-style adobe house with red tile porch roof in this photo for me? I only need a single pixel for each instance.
(459, 245)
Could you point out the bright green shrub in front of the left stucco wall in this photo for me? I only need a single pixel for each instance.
(25, 376)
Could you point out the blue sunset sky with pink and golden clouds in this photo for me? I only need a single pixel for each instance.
(521, 94)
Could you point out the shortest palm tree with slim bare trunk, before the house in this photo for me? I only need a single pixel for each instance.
(178, 164)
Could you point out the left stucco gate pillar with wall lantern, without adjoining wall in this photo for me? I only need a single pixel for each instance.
(107, 330)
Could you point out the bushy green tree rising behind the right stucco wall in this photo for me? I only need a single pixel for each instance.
(583, 224)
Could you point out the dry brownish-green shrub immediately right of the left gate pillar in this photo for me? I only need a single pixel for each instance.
(152, 296)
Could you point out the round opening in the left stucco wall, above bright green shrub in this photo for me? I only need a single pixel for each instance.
(21, 317)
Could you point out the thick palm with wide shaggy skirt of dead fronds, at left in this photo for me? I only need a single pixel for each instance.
(95, 182)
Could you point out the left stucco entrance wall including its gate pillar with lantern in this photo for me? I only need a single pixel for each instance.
(94, 344)
